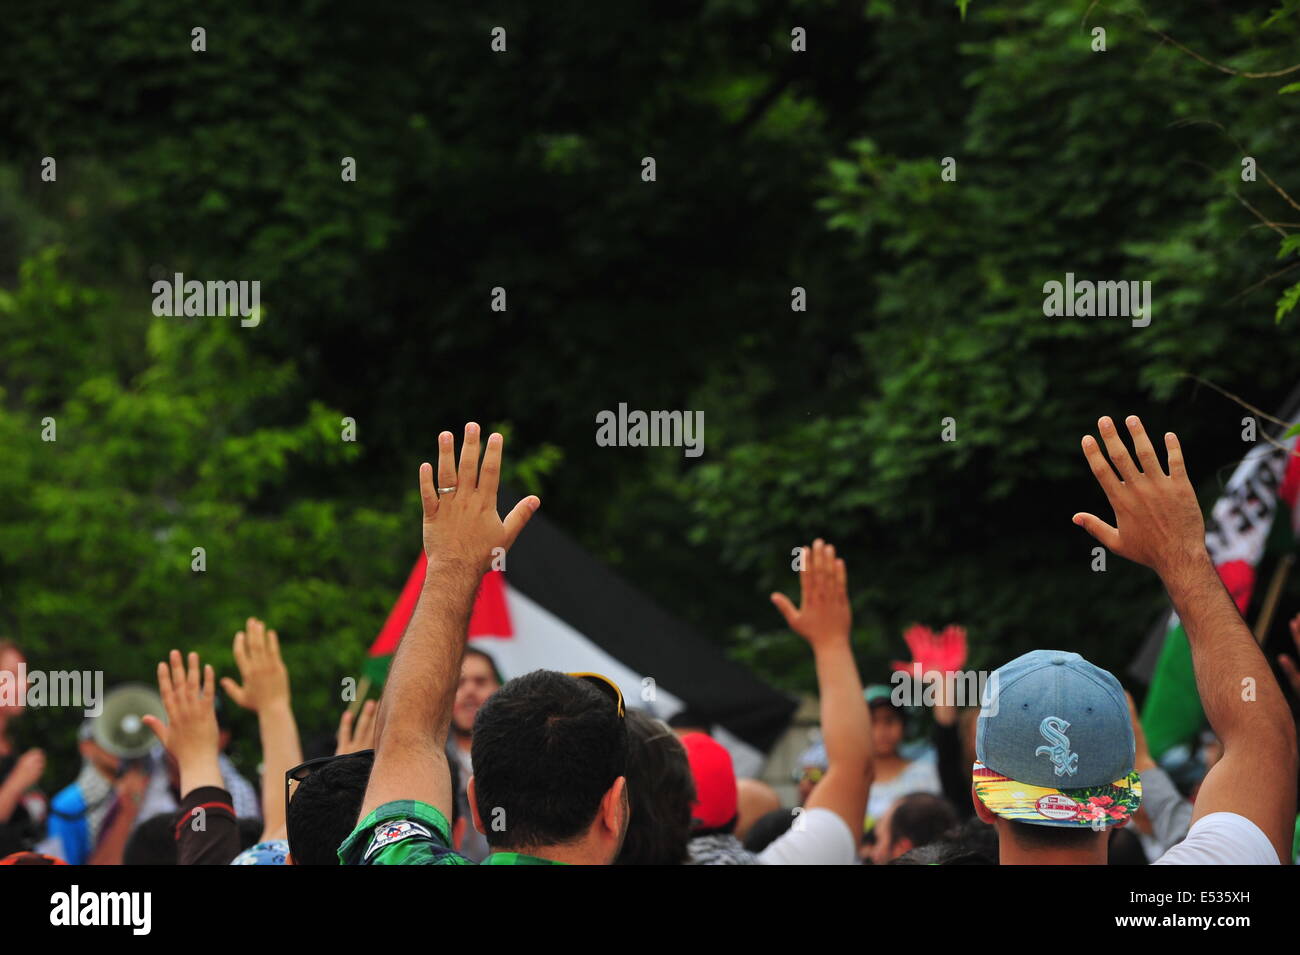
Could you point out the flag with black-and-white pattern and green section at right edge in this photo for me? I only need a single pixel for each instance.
(1263, 489)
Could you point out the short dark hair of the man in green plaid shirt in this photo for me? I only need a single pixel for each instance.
(547, 749)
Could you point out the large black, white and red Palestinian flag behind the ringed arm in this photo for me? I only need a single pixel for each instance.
(557, 607)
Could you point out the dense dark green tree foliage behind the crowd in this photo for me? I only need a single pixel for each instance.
(476, 170)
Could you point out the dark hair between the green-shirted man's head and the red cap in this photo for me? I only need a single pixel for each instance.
(661, 792)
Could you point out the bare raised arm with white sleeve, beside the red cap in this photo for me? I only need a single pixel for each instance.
(824, 619)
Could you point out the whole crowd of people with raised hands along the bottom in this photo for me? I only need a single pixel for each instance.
(456, 766)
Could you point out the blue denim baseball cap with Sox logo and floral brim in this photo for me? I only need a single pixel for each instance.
(1055, 744)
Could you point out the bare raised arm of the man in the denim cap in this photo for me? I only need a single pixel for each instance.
(1159, 524)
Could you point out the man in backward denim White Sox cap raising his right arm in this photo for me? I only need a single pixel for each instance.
(1055, 746)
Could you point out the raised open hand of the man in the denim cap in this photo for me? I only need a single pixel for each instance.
(1158, 520)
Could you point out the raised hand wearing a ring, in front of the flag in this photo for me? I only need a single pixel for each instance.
(462, 528)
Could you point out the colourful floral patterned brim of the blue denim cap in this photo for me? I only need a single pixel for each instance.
(1098, 808)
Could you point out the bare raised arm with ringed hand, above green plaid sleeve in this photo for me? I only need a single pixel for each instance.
(461, 532)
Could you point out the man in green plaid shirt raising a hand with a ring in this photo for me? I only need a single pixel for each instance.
(575, 724)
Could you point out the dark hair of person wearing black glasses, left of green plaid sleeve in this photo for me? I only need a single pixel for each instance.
(324, 809)
